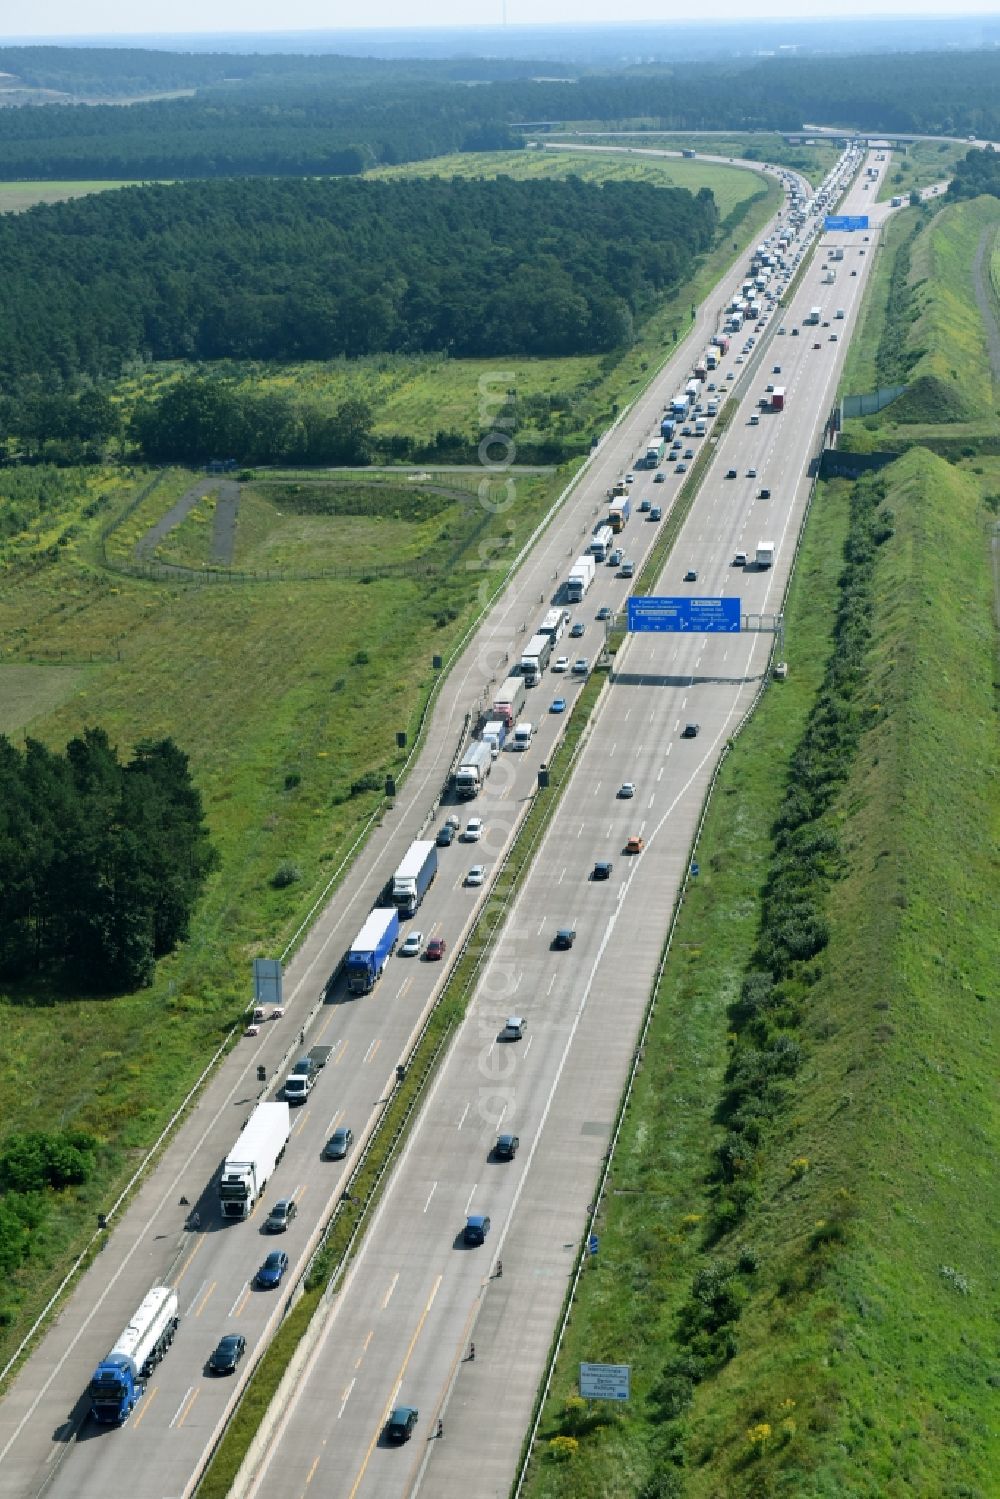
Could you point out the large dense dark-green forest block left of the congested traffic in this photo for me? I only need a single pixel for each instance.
(311, 271)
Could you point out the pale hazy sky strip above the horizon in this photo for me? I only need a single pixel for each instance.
(118, 17)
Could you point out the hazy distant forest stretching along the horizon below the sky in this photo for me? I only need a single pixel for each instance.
(280, 119)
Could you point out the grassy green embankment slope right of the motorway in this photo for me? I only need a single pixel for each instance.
(839, 1339)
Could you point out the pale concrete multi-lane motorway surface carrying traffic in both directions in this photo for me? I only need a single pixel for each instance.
(415, 1300)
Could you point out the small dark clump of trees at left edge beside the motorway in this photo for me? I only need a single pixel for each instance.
(101, 863)
